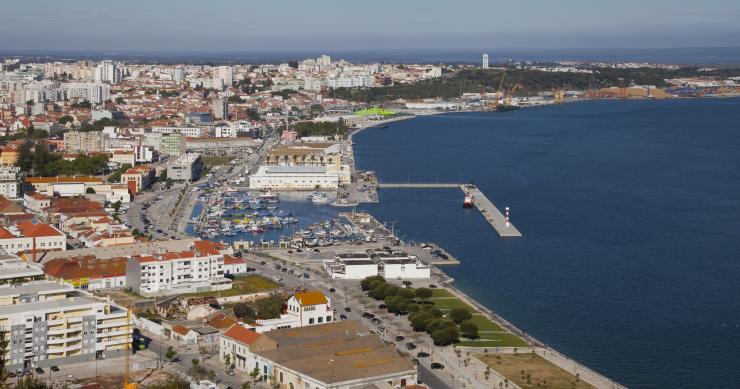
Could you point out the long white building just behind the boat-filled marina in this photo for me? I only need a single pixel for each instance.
(294, 177)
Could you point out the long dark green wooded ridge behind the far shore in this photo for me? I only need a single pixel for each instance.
(529, 81)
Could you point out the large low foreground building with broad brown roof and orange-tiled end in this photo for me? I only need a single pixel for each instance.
(336, 355)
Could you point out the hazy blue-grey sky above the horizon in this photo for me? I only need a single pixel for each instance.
(285, 25)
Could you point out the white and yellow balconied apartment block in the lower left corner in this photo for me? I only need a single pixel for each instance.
(50, 323)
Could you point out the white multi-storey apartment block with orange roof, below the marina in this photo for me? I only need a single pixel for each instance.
(176, 272)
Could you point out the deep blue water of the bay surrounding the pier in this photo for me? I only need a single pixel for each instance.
(630, 210)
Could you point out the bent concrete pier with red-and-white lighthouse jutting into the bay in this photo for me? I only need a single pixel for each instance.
(493, 216)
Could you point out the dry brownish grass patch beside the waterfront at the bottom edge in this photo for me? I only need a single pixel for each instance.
(537, 372)
